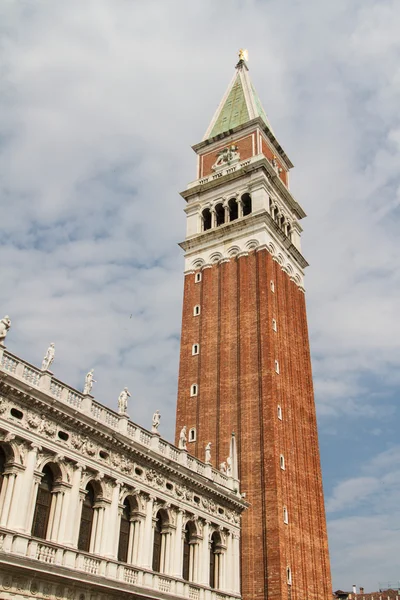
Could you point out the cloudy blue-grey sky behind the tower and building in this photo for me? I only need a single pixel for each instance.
(100, 102)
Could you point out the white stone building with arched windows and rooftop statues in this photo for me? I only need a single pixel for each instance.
(94, 507)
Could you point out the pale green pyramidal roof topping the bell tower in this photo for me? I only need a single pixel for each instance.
(239, 105)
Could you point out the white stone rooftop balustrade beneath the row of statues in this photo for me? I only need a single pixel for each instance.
(58, 391)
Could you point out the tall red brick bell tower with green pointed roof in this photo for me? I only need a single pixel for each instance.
(245, 360)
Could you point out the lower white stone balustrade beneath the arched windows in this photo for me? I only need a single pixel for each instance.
(40, 554)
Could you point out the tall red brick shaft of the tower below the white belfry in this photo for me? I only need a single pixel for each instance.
(240, 391)
